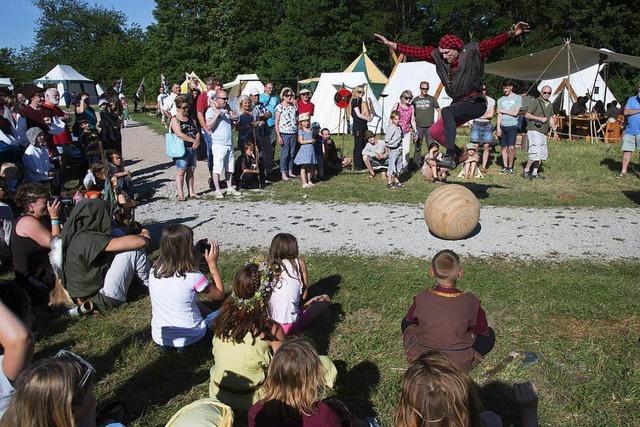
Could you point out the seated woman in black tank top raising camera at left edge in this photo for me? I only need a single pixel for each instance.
(31, 239)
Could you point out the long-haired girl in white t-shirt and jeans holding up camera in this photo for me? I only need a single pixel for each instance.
(178, 318)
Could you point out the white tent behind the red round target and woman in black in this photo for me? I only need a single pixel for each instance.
(327, 113)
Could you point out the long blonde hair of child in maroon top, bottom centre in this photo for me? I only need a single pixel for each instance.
(296, 378)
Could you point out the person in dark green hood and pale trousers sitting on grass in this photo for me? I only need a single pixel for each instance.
(97, 266)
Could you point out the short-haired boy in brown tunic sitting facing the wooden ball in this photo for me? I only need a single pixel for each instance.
(447, 319)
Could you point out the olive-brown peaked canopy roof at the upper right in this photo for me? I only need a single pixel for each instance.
(552, 63)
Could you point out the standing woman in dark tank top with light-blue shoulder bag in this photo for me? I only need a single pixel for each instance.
(187, 130)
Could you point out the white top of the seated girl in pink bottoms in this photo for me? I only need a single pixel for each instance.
(286, 294)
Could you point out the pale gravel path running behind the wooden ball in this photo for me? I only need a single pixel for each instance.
(376, 229)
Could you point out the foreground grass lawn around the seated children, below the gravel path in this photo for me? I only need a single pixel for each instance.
(583, 326)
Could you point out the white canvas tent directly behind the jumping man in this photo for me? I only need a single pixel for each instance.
(407, 76)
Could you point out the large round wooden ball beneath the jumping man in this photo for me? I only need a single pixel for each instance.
(452, 212)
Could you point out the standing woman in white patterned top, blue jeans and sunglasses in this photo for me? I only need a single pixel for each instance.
(286, 131)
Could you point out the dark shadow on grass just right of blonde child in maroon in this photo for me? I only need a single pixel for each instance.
(355, 386)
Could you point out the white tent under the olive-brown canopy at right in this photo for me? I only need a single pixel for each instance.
(582, 83)
